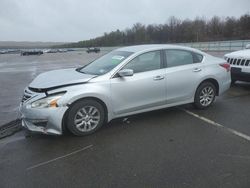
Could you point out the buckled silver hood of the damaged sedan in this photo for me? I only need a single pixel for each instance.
(59, 78)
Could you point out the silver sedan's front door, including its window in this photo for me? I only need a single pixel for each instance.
(145, 89)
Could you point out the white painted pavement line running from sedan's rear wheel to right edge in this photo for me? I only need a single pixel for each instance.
(244, 136)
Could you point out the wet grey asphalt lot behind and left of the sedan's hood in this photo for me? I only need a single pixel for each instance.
(16, 72)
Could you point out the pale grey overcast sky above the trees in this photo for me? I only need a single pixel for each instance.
(75, 20)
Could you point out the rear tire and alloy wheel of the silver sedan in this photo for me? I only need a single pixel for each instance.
(205, 95)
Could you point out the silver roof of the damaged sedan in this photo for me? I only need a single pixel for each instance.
(140, 48)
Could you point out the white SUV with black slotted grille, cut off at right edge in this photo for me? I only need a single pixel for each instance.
(240, 65)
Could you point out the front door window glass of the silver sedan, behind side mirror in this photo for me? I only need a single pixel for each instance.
(145, 62)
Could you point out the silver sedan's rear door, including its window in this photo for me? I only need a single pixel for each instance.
(183, 73)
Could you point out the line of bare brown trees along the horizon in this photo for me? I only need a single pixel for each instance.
(175, 31)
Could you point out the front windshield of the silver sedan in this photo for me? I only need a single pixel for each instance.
(105, 63)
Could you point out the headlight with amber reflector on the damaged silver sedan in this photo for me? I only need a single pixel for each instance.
(47, 102)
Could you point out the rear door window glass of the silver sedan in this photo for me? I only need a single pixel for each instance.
(178, 57)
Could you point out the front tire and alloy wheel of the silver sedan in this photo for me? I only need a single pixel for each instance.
(85, 117)
